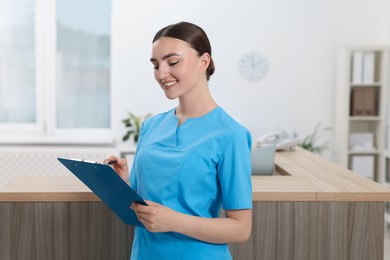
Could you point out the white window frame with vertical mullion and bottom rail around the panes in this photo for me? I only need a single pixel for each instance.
(44, 130)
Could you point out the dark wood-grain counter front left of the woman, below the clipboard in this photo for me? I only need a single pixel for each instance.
(74, 230)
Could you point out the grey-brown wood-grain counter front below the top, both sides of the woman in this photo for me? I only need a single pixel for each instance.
(281, 230)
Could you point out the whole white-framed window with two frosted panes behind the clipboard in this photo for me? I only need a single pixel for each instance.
(55, 70)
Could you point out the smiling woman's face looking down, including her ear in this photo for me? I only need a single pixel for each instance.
(177, 67)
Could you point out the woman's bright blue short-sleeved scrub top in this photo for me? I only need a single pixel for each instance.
(194, 168)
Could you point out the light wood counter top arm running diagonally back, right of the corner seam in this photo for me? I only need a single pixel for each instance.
(331, 181)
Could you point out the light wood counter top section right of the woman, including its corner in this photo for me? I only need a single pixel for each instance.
(315, 179)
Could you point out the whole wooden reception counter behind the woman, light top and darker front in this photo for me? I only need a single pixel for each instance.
(310, 209)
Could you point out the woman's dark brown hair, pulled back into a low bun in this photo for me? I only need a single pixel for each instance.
(191, 34)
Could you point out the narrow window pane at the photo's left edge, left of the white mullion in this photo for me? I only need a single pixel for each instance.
(17, 62)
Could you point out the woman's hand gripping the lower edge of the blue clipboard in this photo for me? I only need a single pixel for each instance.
(155, 217)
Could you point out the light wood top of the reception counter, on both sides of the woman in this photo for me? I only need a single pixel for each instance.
(302, 176)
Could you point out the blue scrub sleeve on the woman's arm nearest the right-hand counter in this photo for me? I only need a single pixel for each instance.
(234, 172)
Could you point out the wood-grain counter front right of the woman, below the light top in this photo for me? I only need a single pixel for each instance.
(315, 230)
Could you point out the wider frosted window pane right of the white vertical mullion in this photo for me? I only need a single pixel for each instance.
(83, 63)
